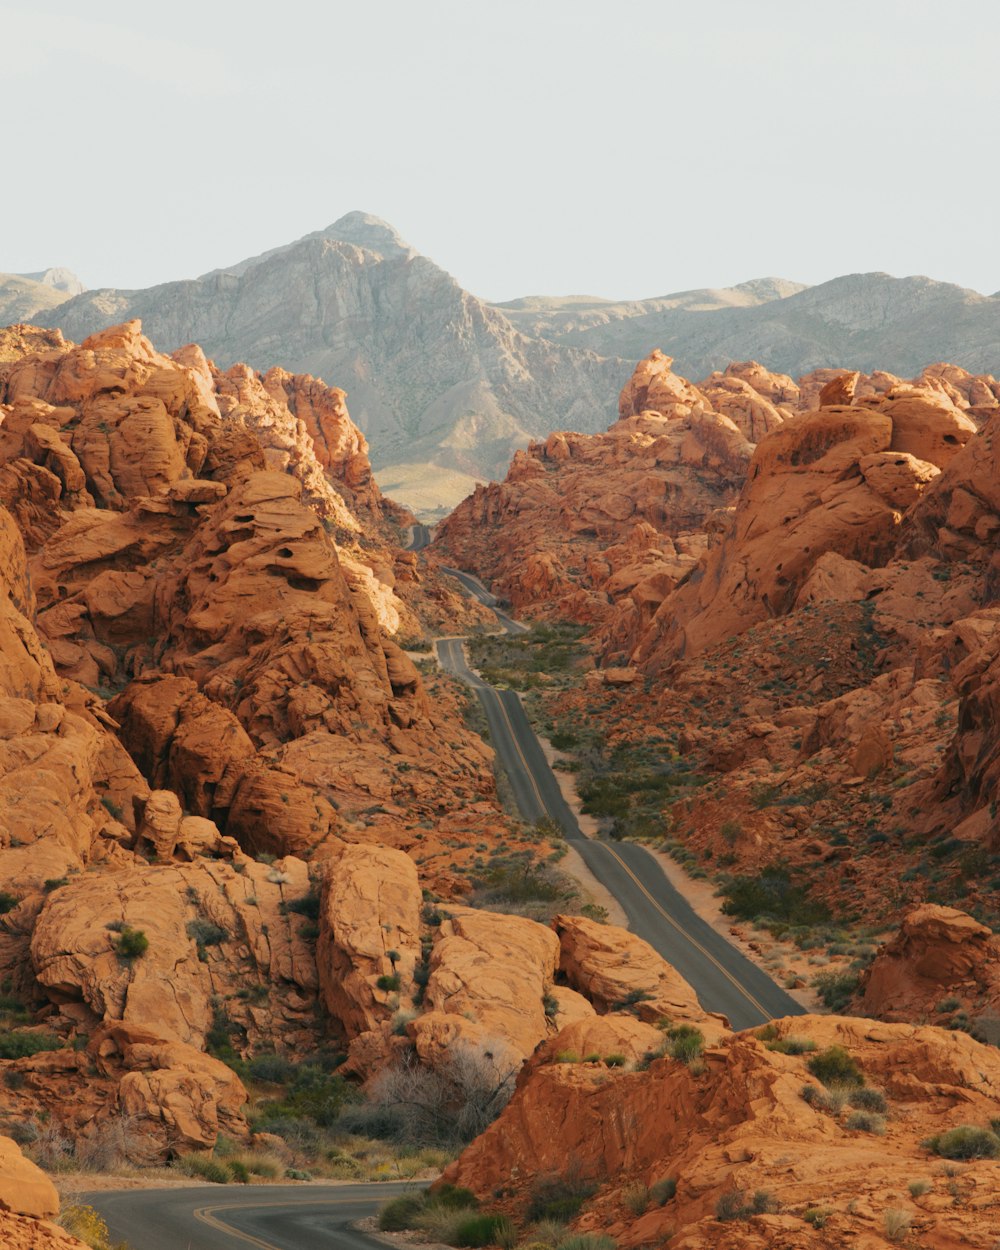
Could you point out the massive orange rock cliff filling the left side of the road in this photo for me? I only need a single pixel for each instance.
(209, 737)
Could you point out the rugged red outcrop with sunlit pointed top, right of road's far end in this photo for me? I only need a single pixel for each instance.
(603, 527)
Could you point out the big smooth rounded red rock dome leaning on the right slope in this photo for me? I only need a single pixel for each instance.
(832, 482)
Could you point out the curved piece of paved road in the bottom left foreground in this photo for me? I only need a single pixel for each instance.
(237, 1217)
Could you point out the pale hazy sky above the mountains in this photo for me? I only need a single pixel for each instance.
(619, 148)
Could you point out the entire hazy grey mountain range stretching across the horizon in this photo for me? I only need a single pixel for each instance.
(447, 386)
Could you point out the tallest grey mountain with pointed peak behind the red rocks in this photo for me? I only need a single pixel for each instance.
(441, 382)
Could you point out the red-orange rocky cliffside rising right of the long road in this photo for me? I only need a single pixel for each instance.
(822, 657)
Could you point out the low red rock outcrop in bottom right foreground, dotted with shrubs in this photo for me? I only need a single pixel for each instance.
(742, 1126)
